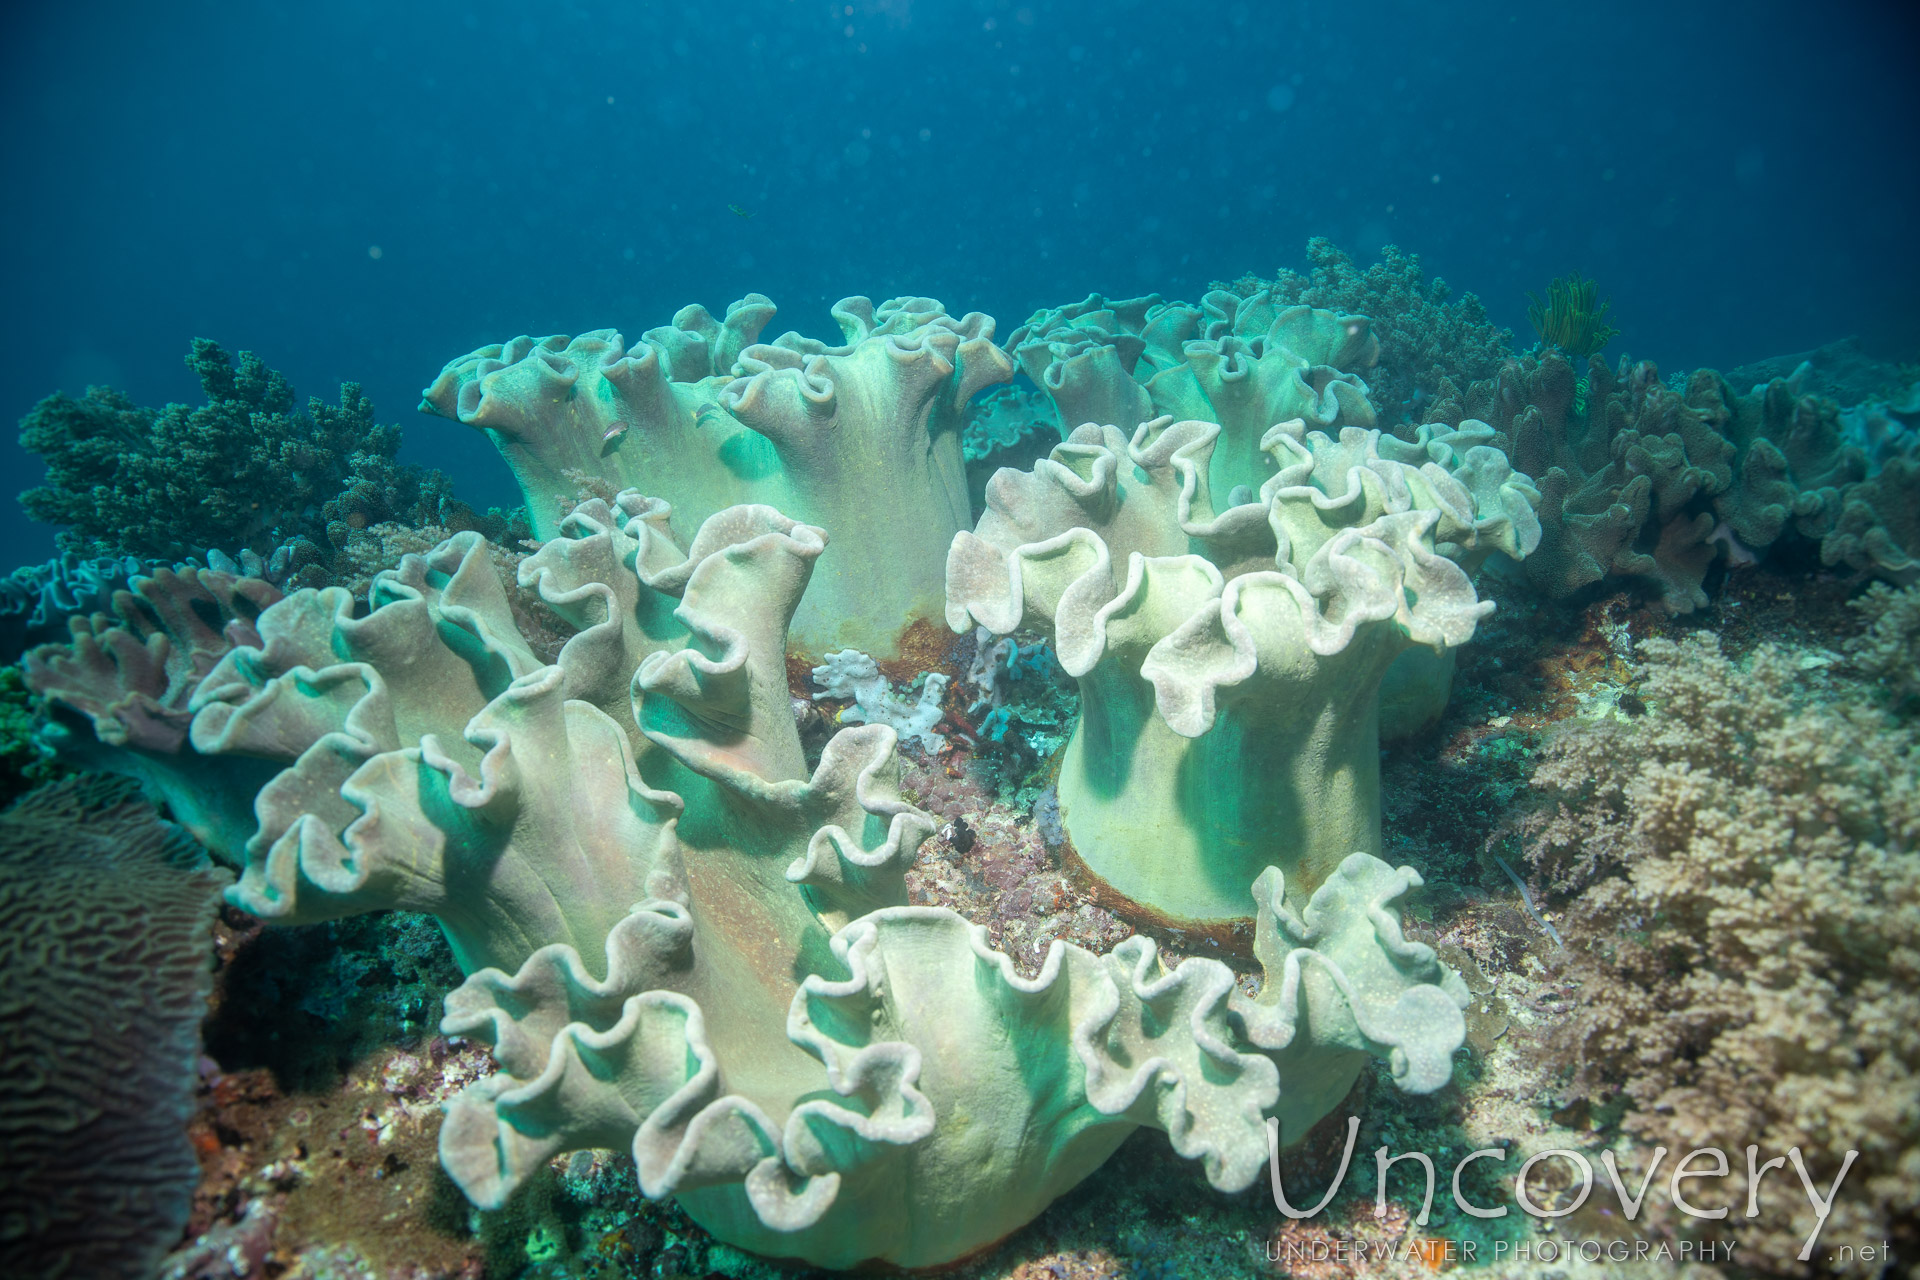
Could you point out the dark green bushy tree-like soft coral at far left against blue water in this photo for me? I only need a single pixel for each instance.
(243, 473)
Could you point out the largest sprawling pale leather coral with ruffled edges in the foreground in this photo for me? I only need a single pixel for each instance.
(684, 943)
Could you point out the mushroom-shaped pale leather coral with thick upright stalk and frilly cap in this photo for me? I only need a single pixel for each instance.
(1232, 661)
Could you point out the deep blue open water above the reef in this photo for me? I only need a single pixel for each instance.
(1740, 178)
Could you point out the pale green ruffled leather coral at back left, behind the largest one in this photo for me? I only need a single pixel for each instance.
(863, 439)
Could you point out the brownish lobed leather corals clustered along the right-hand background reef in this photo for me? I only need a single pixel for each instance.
(1650, 483)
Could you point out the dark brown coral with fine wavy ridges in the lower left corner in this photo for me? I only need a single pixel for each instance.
(107, 960)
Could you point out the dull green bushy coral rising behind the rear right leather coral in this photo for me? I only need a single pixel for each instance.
(1424, 337)
